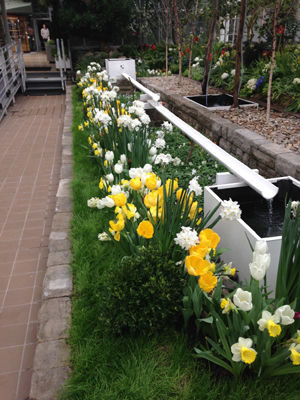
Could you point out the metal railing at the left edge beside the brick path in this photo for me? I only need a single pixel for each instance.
(12, 74)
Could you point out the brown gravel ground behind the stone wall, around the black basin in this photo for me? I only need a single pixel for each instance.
(283, 128)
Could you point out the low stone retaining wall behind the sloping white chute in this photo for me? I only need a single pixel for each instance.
(271, 159)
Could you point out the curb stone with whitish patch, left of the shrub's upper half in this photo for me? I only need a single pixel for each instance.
(57, 282)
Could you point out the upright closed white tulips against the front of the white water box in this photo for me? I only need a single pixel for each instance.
(261, 260)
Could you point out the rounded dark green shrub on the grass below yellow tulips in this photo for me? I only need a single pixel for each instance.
(142, 294)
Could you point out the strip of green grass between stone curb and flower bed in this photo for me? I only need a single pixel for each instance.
(161, 367)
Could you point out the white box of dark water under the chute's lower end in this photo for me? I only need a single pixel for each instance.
(254, 223)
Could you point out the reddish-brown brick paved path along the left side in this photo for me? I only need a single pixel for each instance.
(30, 160)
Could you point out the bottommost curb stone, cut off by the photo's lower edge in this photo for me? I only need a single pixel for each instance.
(45, 384)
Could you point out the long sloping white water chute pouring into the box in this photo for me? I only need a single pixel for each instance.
(264, 187)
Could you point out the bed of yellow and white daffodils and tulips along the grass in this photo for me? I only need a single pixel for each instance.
(147, 206)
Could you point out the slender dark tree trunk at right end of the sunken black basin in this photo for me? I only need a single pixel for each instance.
(239, 42)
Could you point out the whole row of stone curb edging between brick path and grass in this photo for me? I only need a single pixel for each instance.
(51, 361)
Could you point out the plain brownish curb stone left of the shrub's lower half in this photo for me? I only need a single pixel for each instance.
(54, 319)
